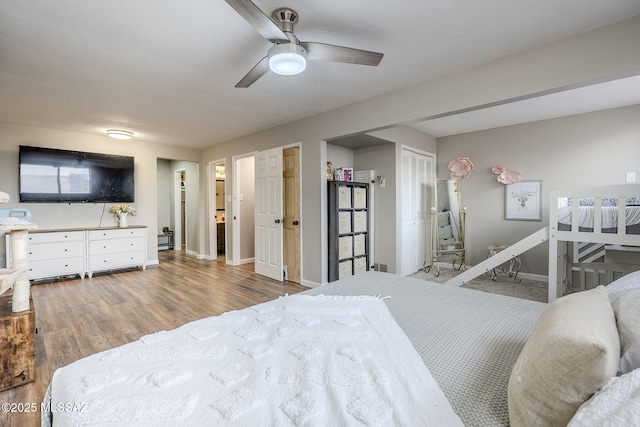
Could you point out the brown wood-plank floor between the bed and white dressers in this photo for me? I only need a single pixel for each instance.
(79, 317)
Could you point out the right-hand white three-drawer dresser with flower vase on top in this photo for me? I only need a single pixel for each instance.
(114, 248)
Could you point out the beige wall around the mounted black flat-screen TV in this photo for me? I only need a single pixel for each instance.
(61, 215)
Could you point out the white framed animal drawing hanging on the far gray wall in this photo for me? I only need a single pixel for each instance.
(523, 201)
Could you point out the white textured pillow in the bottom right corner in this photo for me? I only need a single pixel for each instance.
(616, 404)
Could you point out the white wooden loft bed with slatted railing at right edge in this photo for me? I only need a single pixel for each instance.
(583, 224)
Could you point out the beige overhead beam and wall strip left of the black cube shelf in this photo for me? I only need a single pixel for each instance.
(596, 55)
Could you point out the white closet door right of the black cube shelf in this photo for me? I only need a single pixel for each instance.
(418, 175)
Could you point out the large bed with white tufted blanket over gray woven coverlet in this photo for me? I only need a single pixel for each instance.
(438, 354)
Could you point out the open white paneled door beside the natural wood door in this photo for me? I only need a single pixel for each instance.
(268, 253)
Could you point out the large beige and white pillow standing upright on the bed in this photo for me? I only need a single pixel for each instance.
(572, 352)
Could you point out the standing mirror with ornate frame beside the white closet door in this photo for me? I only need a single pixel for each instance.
(447, 226)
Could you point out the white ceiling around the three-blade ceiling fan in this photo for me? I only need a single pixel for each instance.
(166, 70)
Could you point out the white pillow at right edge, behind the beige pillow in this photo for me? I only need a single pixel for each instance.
(624, 295)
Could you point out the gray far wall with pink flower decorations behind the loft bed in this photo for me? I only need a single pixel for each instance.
(567, 153)
